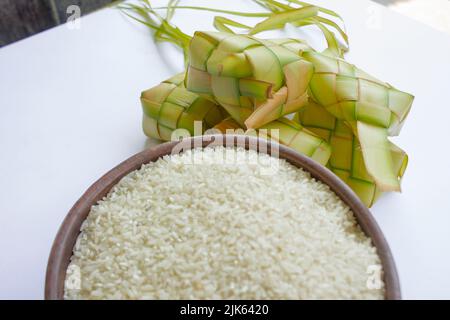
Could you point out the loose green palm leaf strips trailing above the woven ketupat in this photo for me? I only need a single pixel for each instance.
(280, 14)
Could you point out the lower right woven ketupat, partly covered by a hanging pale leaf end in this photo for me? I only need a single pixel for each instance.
(346, 158)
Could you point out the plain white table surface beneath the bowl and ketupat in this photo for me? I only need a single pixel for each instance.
(69, 112)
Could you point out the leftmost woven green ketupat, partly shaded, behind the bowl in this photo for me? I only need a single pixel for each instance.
(169, 106)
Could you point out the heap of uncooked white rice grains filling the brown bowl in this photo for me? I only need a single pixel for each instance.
(193, 226)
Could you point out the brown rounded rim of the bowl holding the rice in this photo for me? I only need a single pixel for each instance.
(65, 239)
